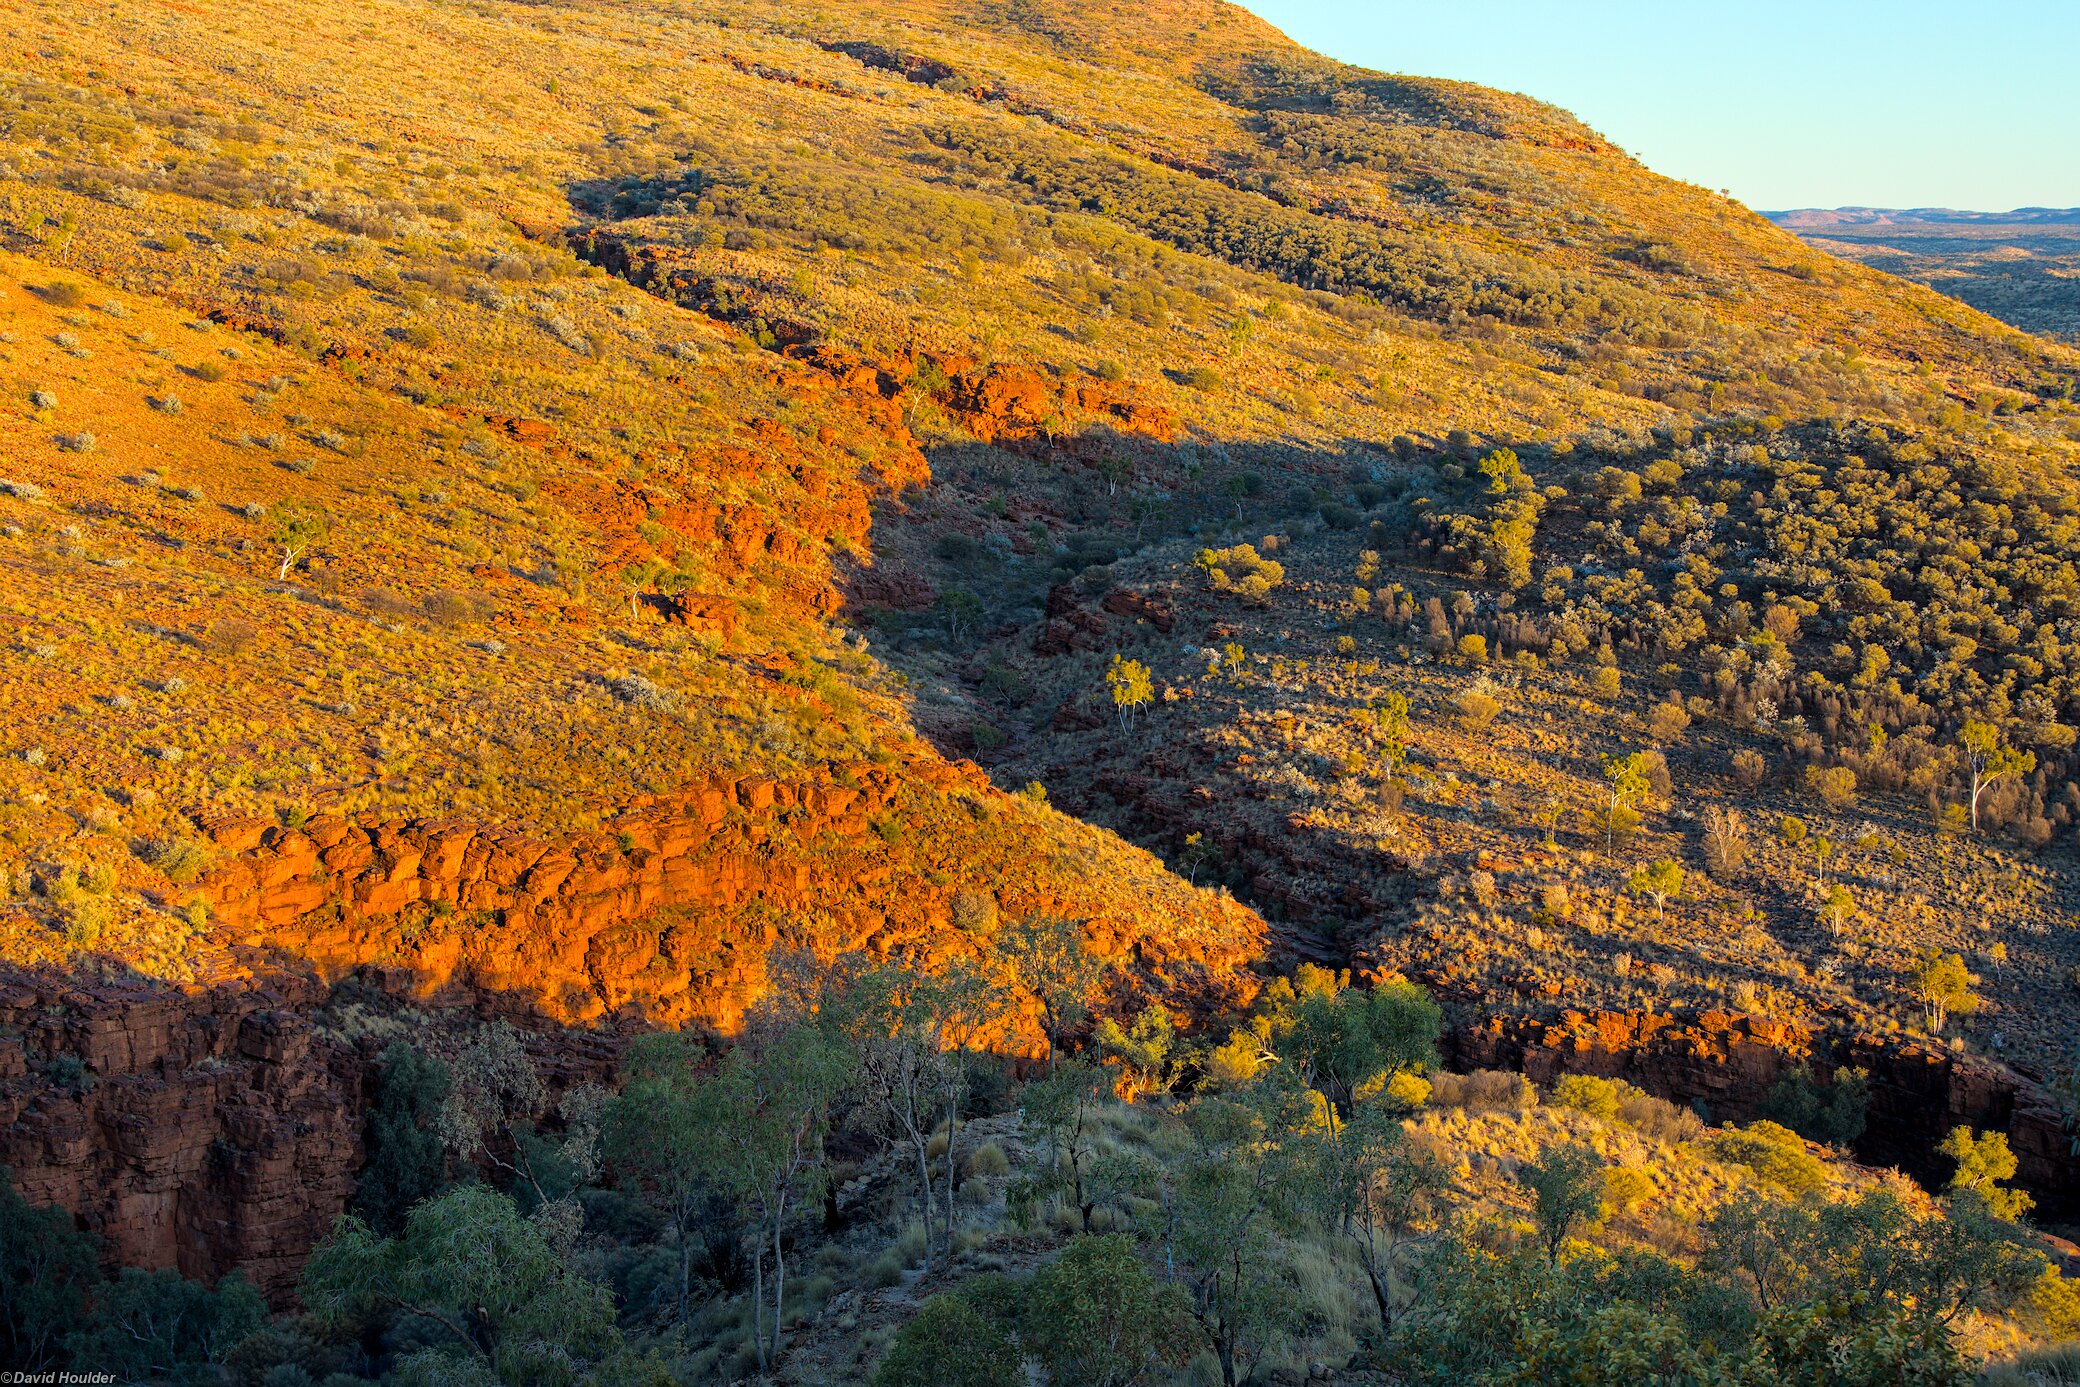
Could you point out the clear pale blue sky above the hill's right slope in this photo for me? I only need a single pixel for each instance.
(1786, 103)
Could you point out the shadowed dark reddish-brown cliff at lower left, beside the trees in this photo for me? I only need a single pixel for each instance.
(194, 1128)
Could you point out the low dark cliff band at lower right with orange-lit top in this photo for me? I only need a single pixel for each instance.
(1730, 1062)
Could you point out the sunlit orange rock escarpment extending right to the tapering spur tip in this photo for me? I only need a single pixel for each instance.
(669, 914)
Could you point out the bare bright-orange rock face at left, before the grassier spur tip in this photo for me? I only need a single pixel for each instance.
(633, 922)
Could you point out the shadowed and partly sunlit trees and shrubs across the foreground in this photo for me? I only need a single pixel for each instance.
(852, 1186)
